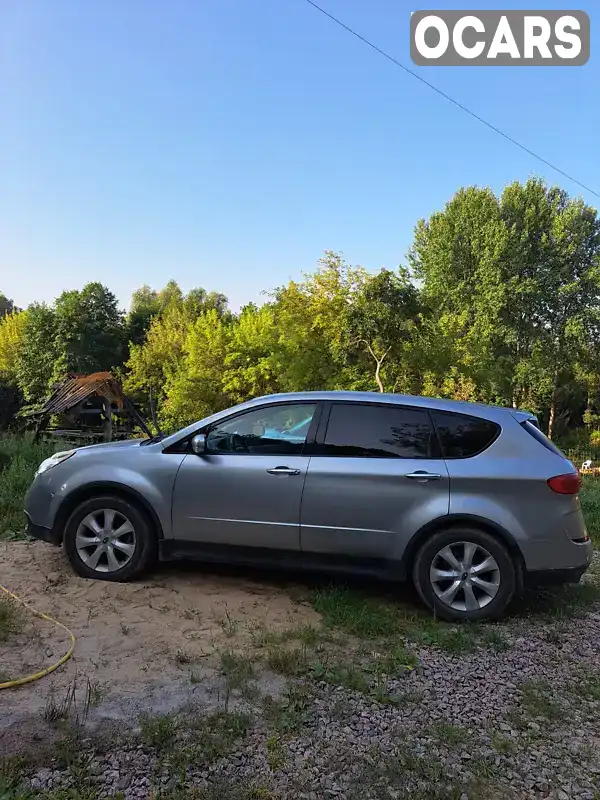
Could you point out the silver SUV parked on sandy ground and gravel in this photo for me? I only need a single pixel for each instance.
(469, 501)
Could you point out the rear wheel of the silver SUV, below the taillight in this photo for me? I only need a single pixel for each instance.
(470, 602)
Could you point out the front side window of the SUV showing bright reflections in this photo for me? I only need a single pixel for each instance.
(275, 430)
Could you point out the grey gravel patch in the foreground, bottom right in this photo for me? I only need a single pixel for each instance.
(521, 723)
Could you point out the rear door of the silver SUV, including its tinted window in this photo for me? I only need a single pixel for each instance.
(375, 478)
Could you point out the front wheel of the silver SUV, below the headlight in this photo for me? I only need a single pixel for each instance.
(125, 552)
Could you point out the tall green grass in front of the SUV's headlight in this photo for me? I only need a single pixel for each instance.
(20, 456)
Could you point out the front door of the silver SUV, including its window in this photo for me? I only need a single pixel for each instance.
(246, 490)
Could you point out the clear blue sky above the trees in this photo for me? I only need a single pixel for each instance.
(227, 143)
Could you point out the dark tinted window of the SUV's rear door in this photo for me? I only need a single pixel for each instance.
(377, 432)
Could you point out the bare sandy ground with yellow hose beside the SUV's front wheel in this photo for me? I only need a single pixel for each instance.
(137, 643)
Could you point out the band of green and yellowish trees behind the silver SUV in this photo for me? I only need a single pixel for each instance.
(500, 302)
